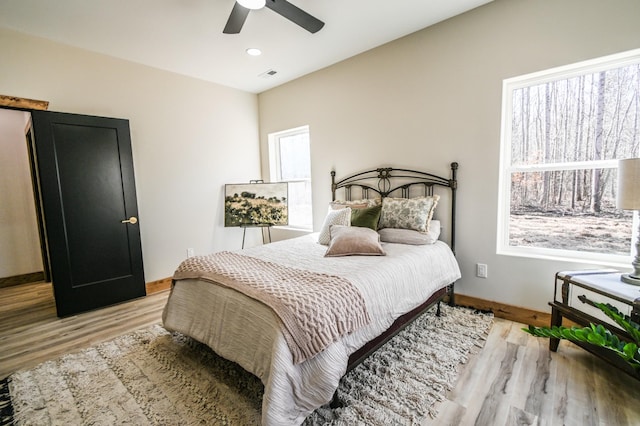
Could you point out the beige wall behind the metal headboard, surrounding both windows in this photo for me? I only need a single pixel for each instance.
(434, 97)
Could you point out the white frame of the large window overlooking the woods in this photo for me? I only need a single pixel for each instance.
(506, 168)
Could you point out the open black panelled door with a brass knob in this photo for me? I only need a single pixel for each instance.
(87, 189)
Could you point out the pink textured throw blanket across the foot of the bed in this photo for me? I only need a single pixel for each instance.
(315, 309)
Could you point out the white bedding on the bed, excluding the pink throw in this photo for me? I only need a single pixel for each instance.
(391, 286)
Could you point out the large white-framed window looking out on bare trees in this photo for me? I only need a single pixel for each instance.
(563, 131)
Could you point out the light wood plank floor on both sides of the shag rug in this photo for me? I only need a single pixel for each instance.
(513, 380)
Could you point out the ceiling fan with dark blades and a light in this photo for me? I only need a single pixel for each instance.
(293, 13)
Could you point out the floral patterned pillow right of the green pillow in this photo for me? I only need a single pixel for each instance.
(408, 213)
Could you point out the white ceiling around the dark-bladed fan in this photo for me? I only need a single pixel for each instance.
(185, 36)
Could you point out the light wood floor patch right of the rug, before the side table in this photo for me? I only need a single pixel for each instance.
(516, 380)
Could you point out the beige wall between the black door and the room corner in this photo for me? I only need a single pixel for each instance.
(189, 138)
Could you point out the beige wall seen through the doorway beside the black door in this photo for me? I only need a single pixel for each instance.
(19, 240)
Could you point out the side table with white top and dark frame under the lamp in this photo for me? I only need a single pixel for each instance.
(599, 285)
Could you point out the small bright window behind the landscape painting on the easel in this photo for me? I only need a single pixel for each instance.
(290, 161)
